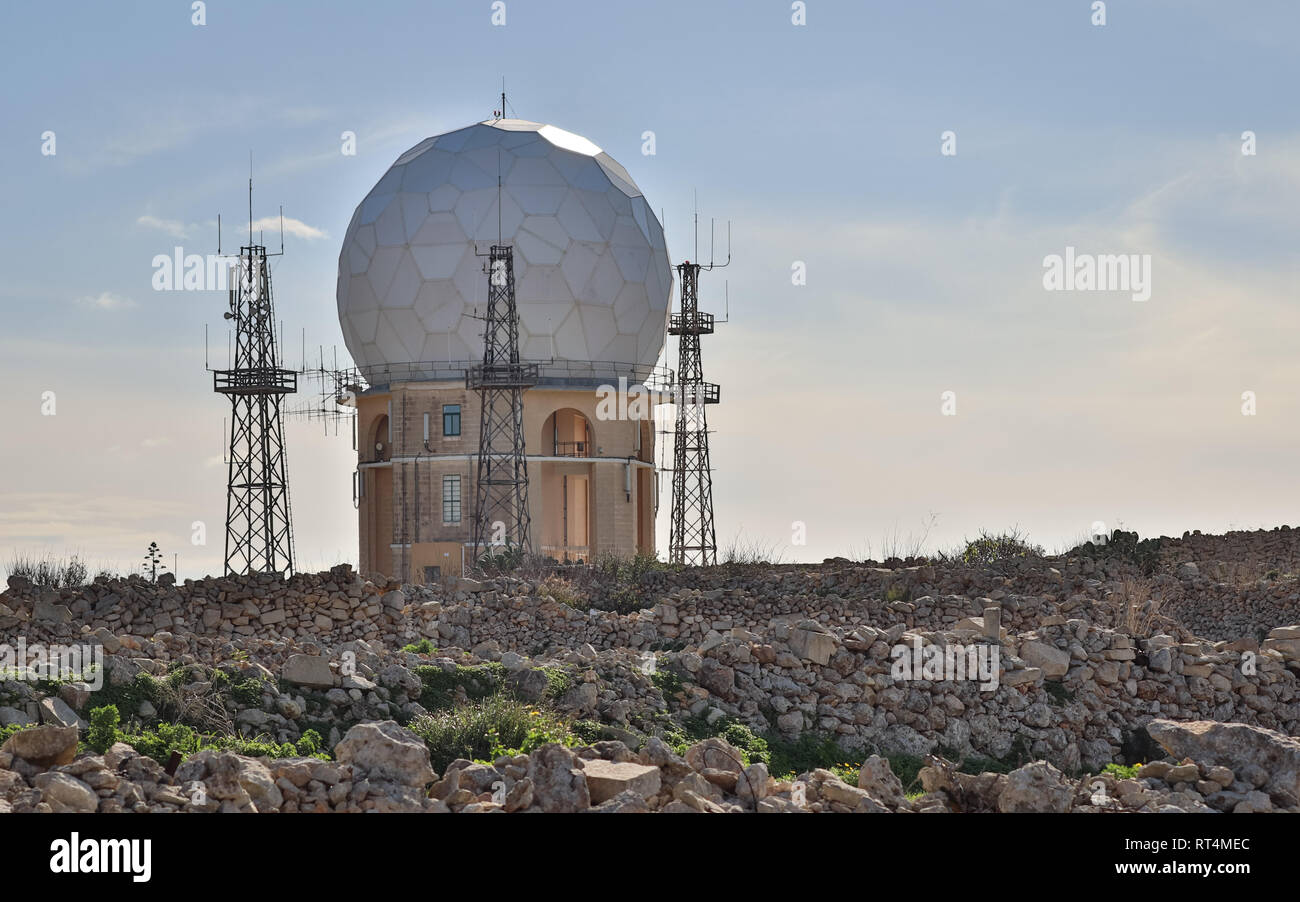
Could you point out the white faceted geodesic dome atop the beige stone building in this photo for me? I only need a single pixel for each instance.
(592, 275)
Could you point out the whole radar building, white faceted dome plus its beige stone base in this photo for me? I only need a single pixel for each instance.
(593, 284)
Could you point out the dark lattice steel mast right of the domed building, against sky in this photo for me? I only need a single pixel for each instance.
(691, 537)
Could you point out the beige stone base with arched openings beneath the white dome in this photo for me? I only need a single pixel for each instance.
(592, 482)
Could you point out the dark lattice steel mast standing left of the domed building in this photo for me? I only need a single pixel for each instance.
(259, 530)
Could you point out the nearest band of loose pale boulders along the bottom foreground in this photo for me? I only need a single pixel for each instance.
(383, 767)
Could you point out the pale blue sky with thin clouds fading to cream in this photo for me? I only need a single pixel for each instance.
(825, 146)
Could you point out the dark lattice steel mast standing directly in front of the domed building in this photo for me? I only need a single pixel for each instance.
(501, 492)
